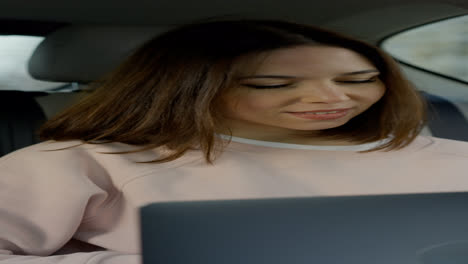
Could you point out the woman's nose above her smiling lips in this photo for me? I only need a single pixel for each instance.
(323, 93)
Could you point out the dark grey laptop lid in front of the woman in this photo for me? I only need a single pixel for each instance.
(424, 228)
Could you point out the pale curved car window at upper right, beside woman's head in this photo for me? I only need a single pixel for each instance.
(440, 47)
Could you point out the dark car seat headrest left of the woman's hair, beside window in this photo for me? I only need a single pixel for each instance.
(84, 53)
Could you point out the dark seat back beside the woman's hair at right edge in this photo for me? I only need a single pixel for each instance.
(445, 120)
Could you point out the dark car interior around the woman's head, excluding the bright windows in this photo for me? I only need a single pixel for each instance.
(86, 39)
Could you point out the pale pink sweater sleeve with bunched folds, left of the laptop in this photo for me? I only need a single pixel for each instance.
(44, 196)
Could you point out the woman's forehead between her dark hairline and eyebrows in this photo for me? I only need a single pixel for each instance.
(310, 61)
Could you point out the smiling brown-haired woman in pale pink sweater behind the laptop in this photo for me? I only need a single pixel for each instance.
(221, 109)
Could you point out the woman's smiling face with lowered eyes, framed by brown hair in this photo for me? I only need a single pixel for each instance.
(314, 78)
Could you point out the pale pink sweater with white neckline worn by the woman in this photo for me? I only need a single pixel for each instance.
(80, 206)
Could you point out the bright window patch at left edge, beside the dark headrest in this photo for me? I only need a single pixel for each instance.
(15, 52)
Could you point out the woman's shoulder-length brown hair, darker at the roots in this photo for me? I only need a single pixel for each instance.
(167, 94)
